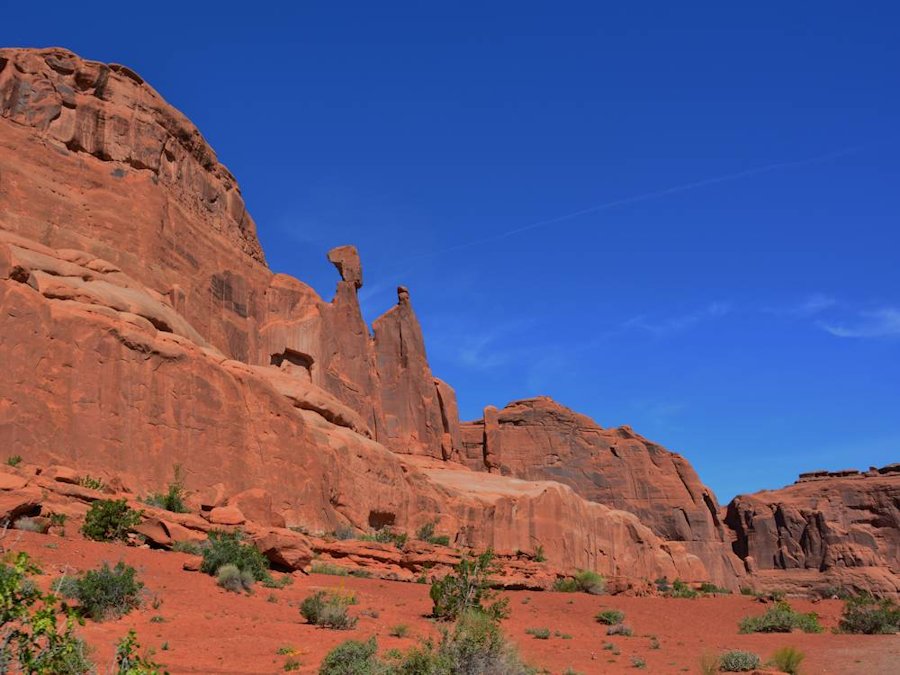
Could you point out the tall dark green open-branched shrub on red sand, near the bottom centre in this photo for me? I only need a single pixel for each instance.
(467, 588)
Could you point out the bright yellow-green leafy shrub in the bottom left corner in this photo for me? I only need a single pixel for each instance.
(32, 640)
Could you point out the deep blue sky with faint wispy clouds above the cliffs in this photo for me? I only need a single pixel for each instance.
(729, 285)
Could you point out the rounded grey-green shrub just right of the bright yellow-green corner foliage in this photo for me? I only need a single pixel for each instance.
(104, 593)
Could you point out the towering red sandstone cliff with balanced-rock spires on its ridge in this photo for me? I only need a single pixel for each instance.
(140, 327)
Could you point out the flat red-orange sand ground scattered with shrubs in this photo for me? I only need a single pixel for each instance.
(208, 630)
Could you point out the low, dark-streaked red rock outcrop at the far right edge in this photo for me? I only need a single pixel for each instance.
(837, 530)
